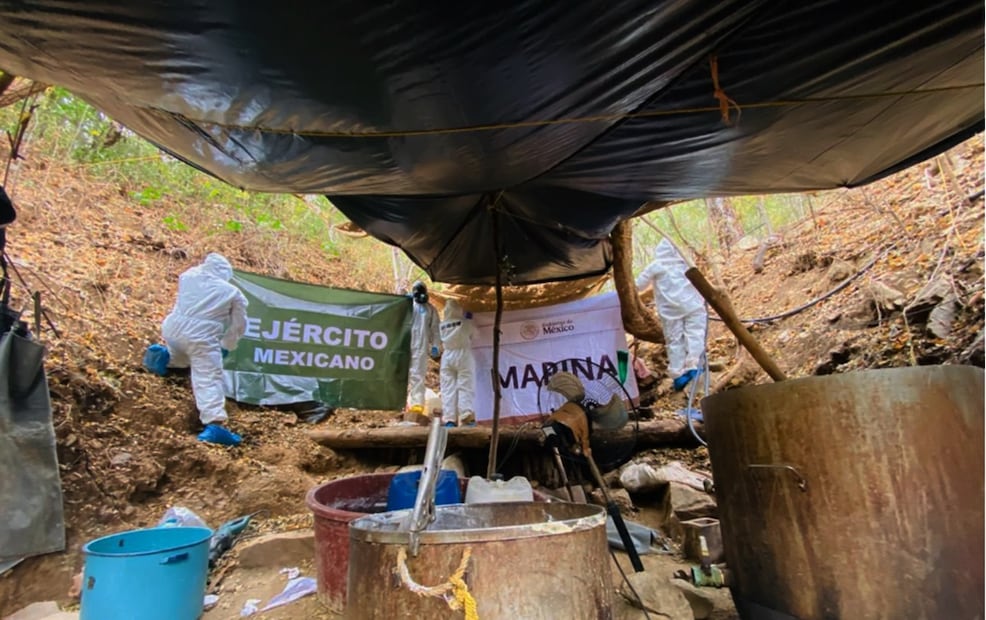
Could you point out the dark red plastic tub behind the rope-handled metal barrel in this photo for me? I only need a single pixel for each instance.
(334, 505)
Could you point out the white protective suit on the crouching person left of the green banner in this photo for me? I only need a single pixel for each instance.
(209, 315)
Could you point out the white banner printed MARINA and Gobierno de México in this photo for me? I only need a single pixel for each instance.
(581, 337)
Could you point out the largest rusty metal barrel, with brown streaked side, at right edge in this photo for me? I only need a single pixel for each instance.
(853, 496)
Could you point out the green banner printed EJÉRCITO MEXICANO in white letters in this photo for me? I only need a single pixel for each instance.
(303, 342)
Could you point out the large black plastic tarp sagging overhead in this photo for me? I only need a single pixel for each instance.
(421, 120)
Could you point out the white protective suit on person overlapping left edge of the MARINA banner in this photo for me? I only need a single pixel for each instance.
(458, 370)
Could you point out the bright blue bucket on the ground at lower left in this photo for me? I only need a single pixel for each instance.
(151, 574)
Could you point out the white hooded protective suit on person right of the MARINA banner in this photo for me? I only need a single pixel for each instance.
(680, 306)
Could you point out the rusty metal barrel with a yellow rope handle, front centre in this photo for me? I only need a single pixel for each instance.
(530, 560)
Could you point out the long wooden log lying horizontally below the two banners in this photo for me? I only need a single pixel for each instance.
(651, 434)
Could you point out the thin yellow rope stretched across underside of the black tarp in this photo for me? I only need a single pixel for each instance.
(410, 133)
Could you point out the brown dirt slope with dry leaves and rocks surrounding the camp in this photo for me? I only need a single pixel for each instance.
(107, 268)
